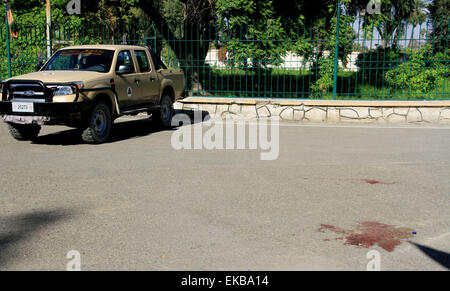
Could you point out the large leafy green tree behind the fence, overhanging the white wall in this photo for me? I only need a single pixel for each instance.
(306, 29)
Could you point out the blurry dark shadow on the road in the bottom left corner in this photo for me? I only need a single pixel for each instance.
(21, 228)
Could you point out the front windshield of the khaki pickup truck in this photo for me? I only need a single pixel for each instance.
(95, 60)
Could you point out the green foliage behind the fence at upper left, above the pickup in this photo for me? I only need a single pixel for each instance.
(95, 23)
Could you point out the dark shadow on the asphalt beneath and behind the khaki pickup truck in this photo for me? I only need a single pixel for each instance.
(120, 131)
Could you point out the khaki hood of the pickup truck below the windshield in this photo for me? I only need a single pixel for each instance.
(62, 76)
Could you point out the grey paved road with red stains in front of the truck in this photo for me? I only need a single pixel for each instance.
(137, 204)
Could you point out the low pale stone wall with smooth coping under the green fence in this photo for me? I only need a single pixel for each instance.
(324, 111)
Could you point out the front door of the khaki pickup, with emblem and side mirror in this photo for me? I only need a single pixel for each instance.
(127, 85)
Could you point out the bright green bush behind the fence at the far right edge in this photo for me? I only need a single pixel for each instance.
(416, 75)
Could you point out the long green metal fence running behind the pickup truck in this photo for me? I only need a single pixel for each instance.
(294, 61)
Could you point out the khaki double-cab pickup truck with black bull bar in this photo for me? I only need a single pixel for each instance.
(88, 87)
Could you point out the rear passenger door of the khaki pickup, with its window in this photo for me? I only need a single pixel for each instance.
(148, 78)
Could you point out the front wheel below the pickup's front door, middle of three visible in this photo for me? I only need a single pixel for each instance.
(99, 125)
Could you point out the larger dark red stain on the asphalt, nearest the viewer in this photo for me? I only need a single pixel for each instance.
(371, 233)
